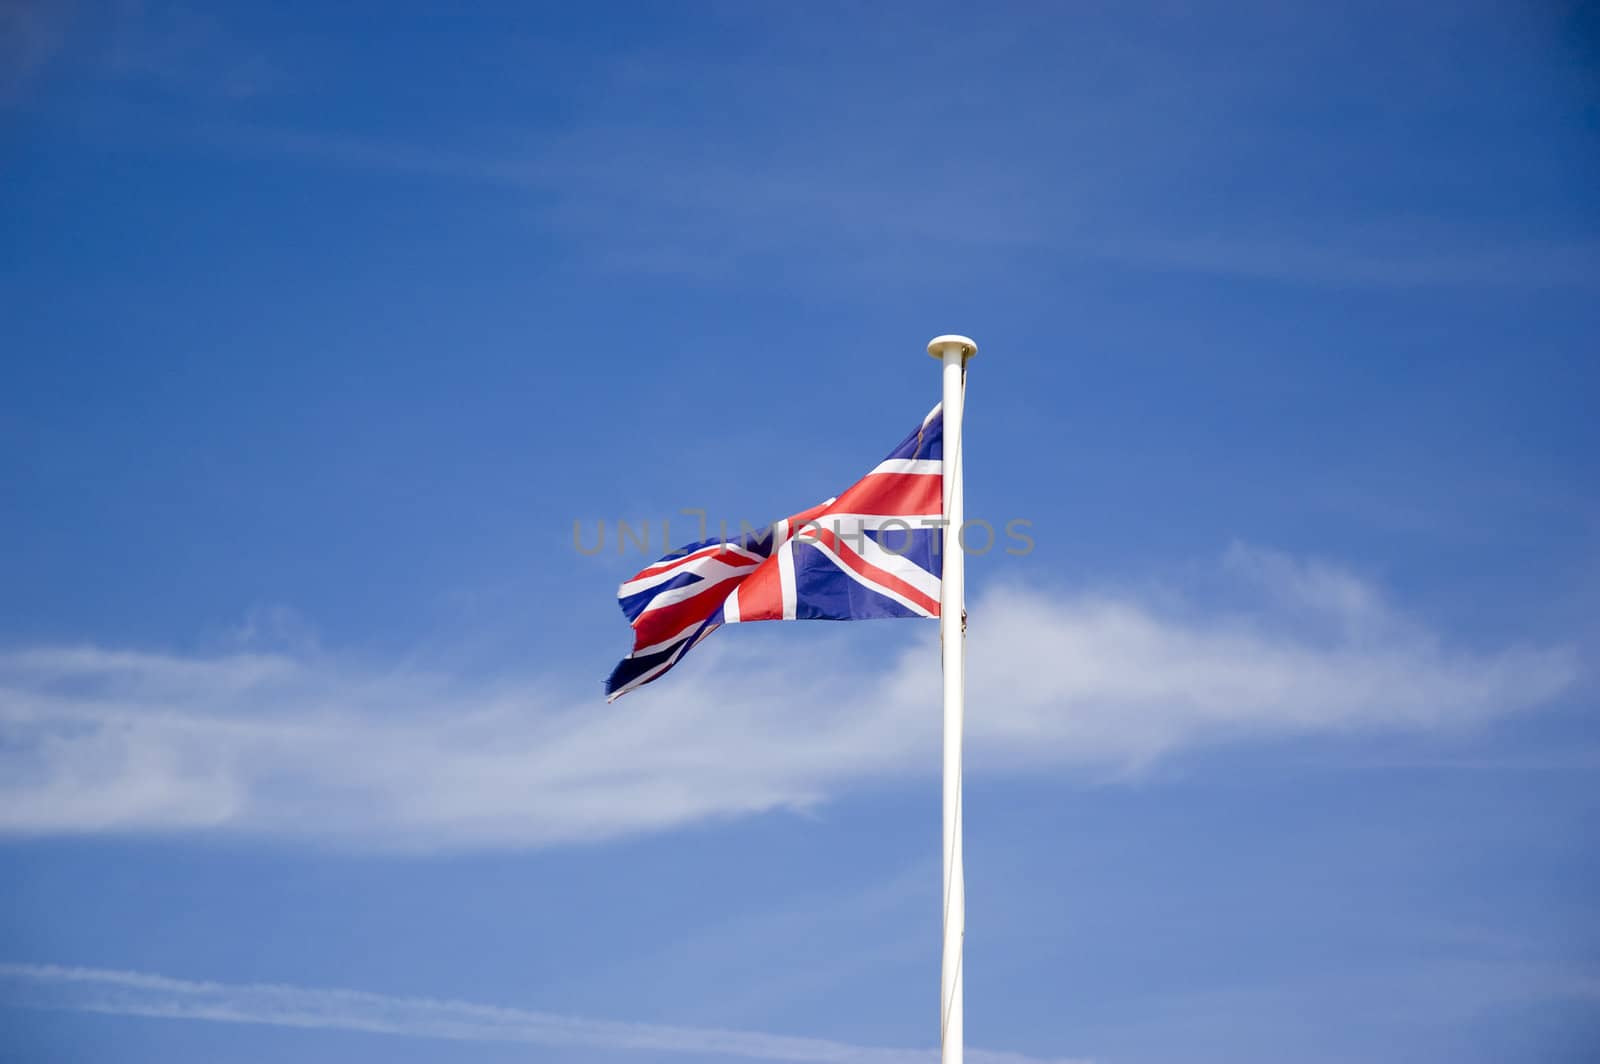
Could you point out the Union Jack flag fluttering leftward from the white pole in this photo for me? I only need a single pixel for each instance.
(870, 553)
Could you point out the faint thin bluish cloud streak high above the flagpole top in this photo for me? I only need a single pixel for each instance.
(634, 201)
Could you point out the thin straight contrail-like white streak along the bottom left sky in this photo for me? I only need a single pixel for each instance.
(154, 996)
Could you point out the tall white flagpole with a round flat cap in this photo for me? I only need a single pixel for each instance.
(953, 351)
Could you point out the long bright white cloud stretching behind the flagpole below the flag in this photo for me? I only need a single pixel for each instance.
(316, 748)
